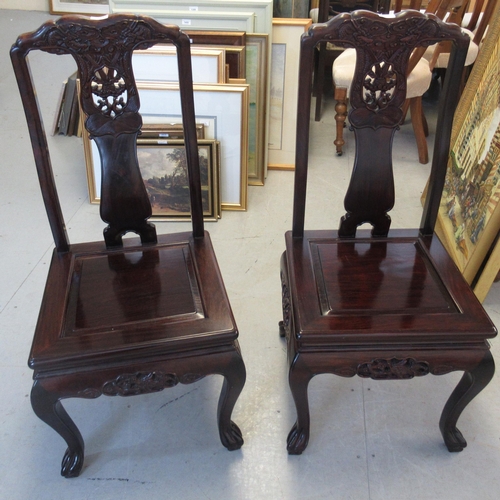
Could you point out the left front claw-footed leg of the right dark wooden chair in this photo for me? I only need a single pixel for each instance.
(298, 437)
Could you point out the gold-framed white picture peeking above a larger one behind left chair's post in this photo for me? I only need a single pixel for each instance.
(159, 64)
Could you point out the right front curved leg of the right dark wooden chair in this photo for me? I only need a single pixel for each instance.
(471, 384)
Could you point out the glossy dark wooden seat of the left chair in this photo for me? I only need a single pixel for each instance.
(131, 302)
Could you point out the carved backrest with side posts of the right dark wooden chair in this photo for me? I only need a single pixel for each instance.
(378, 92)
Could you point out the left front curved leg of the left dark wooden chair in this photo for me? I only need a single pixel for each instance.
(48, 408)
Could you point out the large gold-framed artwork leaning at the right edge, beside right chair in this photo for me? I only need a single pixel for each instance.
(469, 215)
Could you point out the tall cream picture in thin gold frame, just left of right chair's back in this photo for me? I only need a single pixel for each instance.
(284, 85)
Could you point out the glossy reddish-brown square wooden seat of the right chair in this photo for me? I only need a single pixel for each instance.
(348, 291)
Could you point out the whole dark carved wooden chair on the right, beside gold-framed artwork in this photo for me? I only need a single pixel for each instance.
(390, 304)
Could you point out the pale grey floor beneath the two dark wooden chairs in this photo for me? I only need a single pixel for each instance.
(369, 440)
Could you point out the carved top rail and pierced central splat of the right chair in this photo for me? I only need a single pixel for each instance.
(378, 93)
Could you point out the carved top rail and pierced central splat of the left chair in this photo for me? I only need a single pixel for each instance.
(110, 100)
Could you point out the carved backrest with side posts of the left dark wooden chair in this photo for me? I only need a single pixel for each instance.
(109, 98)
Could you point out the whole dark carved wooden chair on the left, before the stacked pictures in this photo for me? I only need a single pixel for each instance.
(132, 316)
